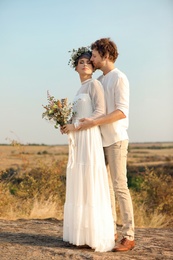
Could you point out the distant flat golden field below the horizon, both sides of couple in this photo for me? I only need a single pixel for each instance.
(27, 156)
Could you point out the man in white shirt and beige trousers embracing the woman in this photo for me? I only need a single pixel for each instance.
(114, 133)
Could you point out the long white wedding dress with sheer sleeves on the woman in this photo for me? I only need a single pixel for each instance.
(87, 211)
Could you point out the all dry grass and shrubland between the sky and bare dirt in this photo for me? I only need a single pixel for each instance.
(32, 182)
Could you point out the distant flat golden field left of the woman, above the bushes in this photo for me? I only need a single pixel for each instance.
(27, 157)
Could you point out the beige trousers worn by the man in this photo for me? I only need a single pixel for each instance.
(116, 161)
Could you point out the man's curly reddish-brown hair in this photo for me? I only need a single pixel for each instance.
(106, 46)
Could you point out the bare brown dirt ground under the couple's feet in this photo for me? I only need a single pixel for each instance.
(42, 239)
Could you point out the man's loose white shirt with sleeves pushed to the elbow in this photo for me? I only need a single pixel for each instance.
(116, 89)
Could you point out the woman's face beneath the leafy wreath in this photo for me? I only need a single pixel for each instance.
(84, 66)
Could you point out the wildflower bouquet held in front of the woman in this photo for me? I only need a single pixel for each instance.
(59, 111)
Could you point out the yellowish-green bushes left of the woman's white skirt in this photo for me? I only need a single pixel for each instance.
(39, 182)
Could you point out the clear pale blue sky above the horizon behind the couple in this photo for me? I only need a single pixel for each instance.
(35, 39)
